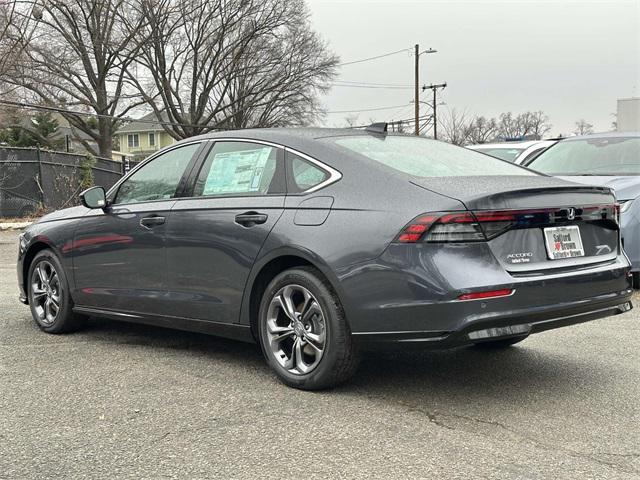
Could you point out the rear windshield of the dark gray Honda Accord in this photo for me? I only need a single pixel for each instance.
(421, 157)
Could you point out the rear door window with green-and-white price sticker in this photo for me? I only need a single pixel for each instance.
(240, 168)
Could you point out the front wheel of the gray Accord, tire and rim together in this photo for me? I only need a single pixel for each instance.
(47, 282)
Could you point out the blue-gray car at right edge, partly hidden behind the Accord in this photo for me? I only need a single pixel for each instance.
(609, 159)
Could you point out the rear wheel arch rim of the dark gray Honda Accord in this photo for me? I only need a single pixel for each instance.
(270, 266)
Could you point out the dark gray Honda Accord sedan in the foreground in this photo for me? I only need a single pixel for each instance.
(319, 243)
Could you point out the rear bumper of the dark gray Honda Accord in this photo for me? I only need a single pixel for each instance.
(421, 305)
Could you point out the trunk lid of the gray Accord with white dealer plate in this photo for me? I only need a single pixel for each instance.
(536, 223)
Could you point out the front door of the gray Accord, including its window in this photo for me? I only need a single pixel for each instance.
(119, 255)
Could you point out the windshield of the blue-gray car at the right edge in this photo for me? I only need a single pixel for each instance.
(591, 156)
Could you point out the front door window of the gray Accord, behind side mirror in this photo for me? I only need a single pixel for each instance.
(159, 178)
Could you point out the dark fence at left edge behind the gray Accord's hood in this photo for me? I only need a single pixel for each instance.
(34, 181)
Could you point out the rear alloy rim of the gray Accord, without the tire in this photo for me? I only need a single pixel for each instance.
(296, 329)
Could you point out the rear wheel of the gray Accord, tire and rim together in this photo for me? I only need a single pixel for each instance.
(326, 351)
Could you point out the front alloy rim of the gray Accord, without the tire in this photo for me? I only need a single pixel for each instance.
(46, 292)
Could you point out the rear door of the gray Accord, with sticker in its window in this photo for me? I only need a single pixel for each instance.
(215, 235)
